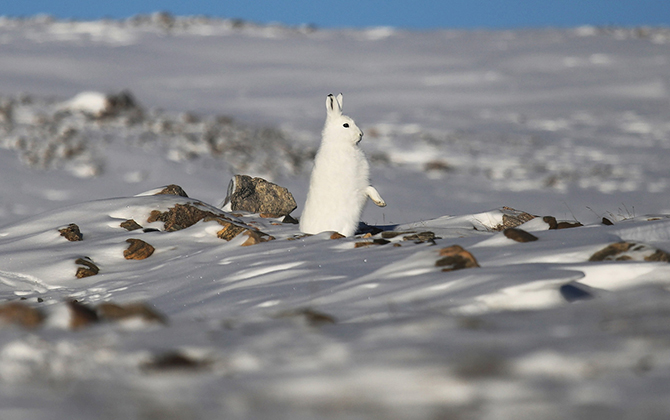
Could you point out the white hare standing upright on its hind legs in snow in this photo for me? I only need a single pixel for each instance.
(340, 182)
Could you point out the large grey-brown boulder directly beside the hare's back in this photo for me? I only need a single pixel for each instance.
(256, 195)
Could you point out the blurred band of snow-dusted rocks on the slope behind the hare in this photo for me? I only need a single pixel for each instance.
(51, 134)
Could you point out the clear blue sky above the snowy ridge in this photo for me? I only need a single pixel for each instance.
(415, 14)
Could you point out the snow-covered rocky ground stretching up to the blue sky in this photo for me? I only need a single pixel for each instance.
(573, 124)
